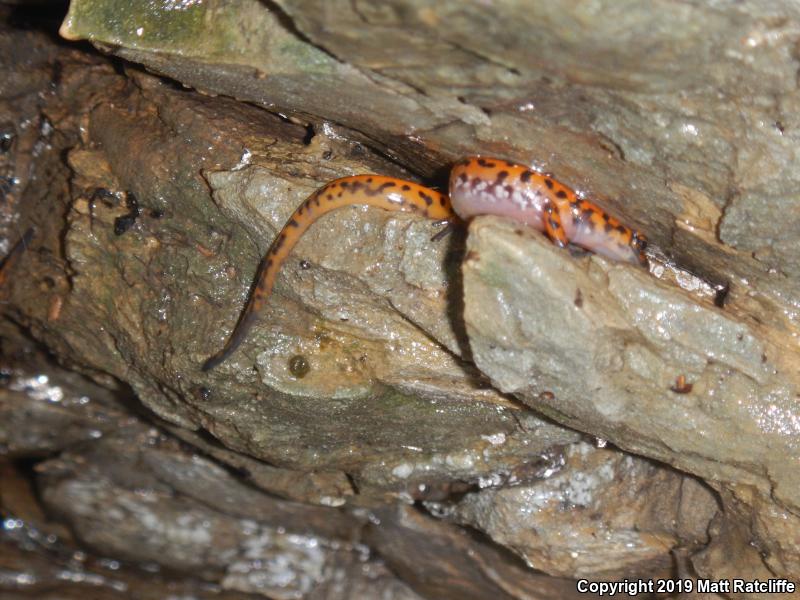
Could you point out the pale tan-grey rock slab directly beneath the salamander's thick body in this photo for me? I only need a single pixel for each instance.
(598, 346)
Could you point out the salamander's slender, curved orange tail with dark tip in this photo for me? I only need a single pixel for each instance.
(388, 193)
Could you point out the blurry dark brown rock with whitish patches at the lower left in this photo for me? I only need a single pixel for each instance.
(149, 506)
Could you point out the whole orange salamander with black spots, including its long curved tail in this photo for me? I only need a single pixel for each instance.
(478, 186)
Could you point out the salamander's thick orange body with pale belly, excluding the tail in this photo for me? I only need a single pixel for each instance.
(489, 186)
